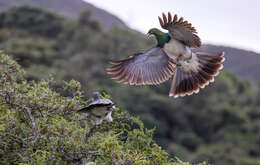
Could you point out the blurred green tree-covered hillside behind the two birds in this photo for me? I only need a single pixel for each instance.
(220, 124)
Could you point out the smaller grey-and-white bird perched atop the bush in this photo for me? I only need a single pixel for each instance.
(99, 109)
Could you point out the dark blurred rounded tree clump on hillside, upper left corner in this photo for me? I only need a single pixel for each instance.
(35, 20)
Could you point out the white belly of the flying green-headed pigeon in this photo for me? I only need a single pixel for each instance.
(174, 48)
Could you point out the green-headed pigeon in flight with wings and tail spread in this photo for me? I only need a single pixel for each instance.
(172, 56)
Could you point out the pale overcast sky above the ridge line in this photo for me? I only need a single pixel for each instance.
(223, 22)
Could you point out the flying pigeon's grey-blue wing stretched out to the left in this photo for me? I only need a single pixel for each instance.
(148, 68)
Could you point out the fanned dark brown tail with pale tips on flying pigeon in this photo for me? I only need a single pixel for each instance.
(189, 82)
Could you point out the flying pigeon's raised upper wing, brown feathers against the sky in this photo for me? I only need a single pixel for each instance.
(180, 30)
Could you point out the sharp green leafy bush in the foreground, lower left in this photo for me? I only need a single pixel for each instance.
(39, 126)
